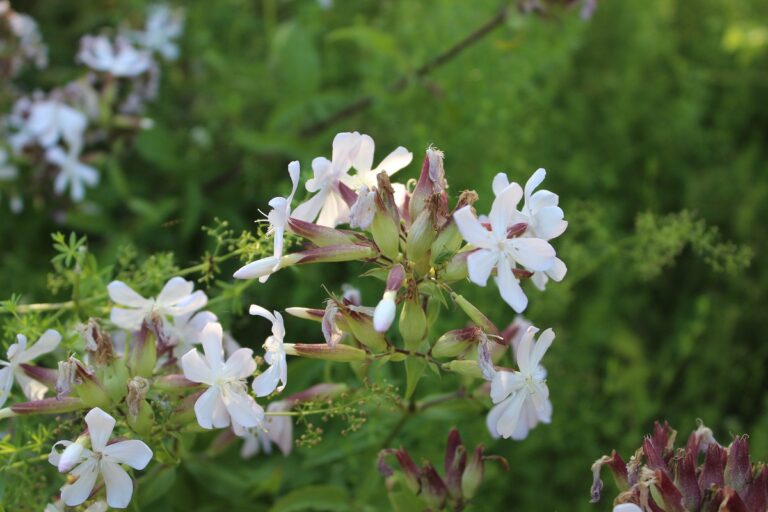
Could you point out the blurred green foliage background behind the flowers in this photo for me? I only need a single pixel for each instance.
(651, 119)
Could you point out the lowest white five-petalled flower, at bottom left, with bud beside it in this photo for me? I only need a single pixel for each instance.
(104, 459)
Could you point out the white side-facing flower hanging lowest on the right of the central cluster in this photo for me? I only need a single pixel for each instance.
(522, 397)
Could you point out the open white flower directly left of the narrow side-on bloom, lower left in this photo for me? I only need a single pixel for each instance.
(226, 400)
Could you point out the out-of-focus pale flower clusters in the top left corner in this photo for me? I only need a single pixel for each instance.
(60, 129)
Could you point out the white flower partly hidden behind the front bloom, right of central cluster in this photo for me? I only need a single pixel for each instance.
(543, 217)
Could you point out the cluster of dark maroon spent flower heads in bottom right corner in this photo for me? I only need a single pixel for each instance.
(703, 475)
